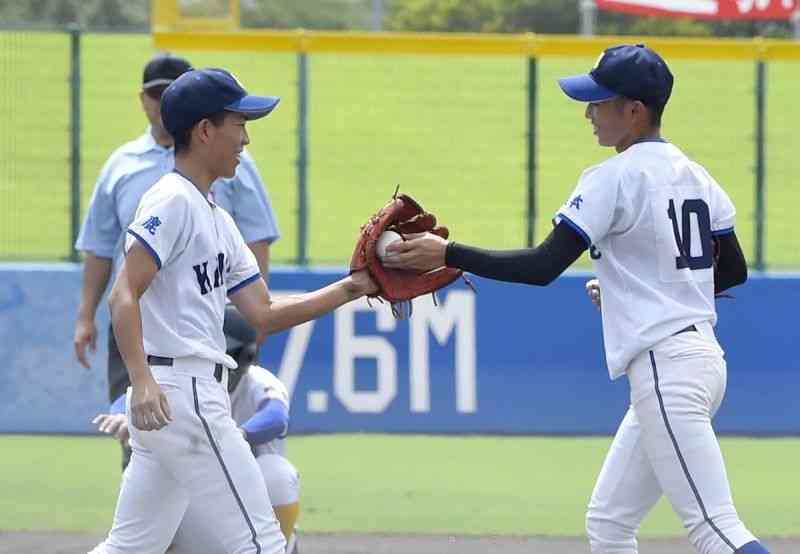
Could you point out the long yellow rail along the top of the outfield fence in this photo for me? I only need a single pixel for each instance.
(529, 45)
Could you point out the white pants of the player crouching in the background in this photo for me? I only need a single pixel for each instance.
(283, 484)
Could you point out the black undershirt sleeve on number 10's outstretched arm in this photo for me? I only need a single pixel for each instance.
(532, 266)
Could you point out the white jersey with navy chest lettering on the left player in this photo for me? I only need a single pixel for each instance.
(201, 258)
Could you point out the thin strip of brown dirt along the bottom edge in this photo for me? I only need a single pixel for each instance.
(345, 543)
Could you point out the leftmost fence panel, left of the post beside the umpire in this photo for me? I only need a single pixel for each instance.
(35, 146)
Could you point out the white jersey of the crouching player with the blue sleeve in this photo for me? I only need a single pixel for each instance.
(256, 386)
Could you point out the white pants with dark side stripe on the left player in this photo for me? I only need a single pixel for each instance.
(199, 460)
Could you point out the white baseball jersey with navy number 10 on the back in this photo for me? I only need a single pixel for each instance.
(649, 214)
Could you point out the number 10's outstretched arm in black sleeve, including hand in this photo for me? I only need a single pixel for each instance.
(533, 266)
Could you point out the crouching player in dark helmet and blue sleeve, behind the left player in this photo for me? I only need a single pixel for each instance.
(260, 407)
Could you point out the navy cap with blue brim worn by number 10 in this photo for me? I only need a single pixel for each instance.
(633, 71)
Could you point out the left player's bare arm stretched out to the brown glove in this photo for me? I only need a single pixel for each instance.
(270, 316)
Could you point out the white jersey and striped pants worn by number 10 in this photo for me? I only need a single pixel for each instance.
(649, 214)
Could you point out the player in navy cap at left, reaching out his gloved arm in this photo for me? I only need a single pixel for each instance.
(183, 257)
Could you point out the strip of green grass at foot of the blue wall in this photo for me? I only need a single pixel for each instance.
(403, 484)
